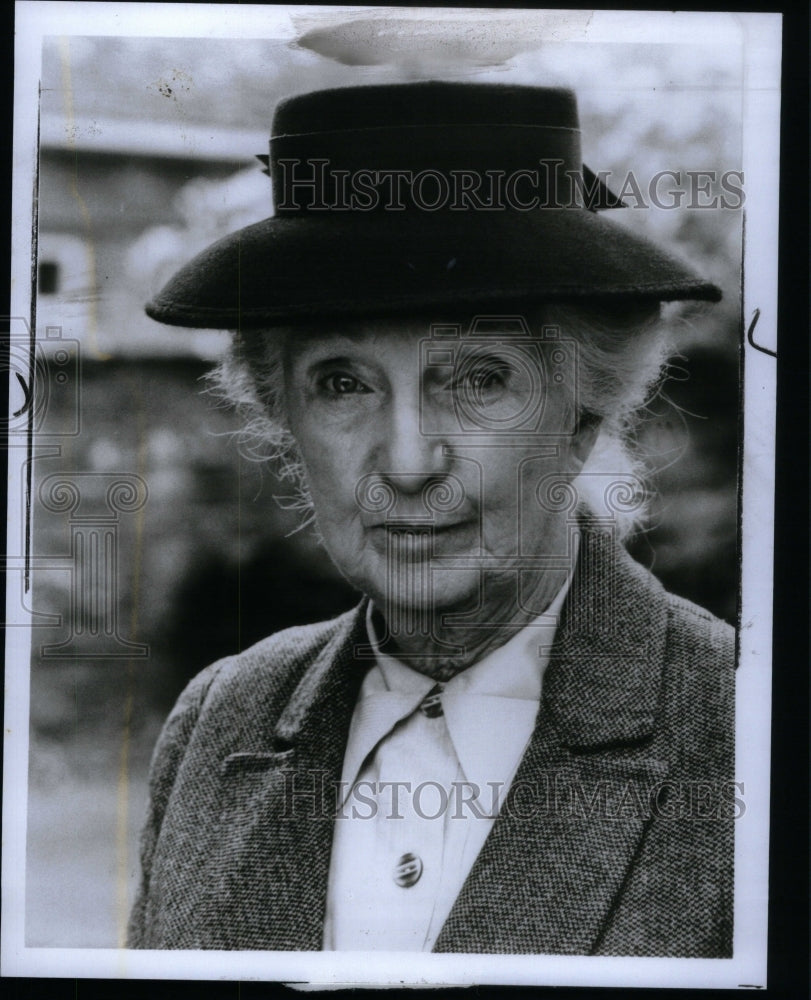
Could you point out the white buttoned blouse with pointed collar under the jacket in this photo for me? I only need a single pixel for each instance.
(424, 774)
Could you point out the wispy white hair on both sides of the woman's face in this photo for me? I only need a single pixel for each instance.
(621, 350)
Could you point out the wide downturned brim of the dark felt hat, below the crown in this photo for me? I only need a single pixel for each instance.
(288, 269)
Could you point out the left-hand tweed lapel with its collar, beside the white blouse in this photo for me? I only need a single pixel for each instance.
(280, 804)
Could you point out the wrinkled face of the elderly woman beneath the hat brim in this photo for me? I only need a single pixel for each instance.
(425, 453)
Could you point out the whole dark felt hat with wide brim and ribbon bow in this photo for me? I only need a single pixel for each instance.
(402, 197)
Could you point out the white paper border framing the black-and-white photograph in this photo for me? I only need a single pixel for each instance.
(760, 36)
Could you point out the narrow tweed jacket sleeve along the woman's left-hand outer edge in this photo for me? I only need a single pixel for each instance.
(166, 760)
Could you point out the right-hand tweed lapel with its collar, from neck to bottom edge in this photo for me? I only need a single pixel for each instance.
(558, 854)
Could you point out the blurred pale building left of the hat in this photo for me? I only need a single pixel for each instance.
(121, 204)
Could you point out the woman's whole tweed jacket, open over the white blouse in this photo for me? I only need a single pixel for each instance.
(621, 842)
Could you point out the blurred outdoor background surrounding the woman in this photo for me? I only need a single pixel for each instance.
(147, 154)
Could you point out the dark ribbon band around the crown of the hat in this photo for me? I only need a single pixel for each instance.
(428, 169)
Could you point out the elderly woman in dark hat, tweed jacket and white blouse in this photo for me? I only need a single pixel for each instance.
(518, 742)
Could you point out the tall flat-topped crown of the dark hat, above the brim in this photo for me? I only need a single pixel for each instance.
(423, 147)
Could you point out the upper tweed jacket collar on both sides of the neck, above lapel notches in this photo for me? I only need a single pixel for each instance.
(603, 681)
